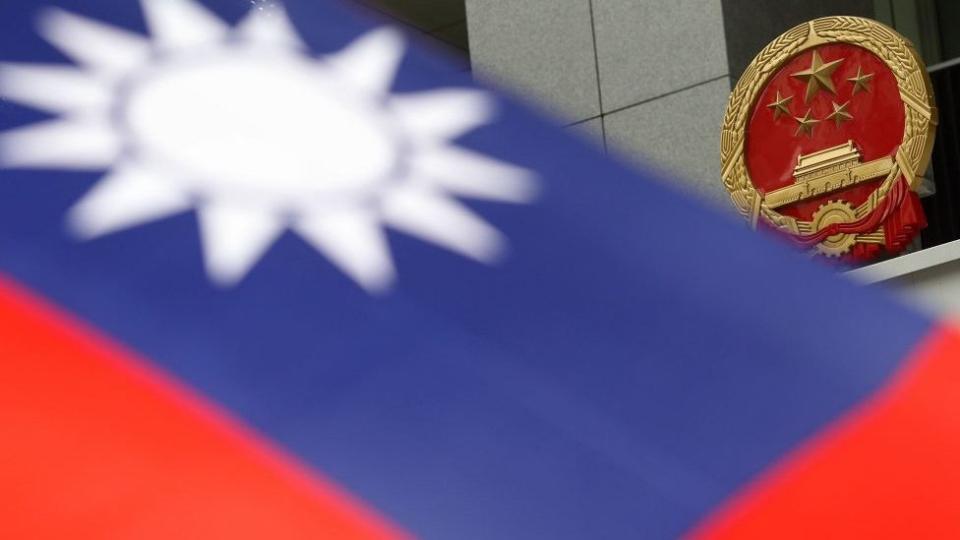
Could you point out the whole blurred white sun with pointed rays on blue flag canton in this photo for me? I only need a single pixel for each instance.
(243, 126)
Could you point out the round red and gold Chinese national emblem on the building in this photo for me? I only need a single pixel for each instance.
(826, 136)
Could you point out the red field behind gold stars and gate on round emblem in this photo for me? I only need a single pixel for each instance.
(772, 146)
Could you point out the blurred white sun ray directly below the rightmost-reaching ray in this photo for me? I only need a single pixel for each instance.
(441, 220)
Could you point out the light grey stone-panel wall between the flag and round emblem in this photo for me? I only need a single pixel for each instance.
(647, 79)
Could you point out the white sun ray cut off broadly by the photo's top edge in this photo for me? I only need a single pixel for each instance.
(182, 24)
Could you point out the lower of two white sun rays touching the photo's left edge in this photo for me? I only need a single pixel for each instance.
(73, 143)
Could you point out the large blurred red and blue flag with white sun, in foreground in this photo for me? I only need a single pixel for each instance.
(267, 272)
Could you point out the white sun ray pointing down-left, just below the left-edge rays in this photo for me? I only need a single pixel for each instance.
(127, 197)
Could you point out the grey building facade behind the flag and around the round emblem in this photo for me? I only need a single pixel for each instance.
(647, 81)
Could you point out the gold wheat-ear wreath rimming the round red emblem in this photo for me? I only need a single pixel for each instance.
(913, 82)
